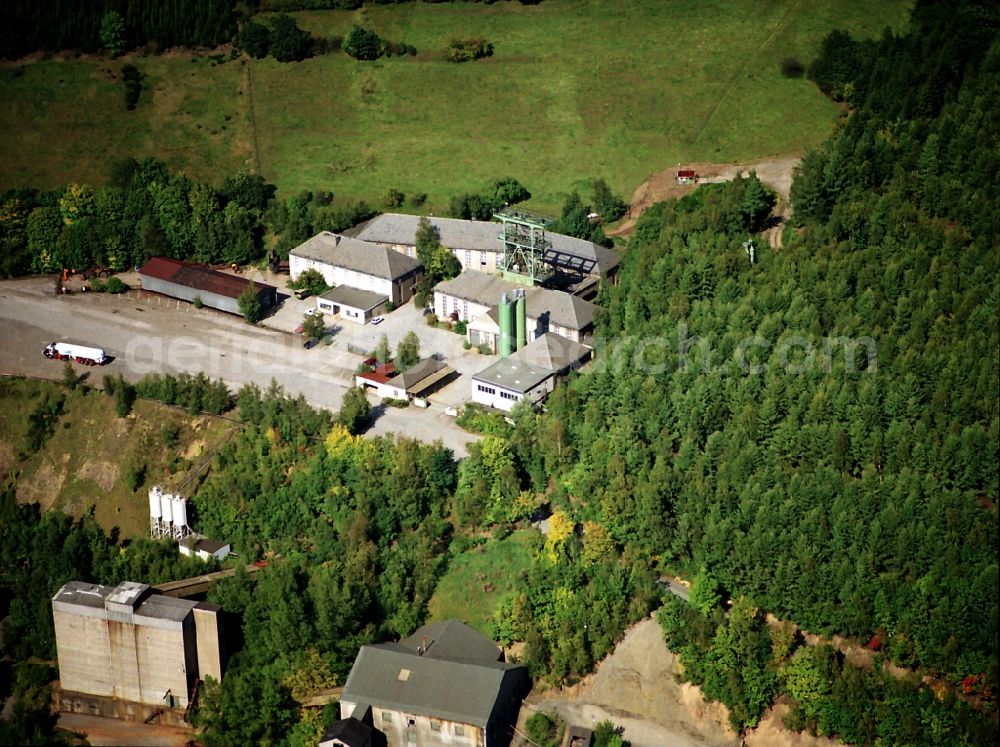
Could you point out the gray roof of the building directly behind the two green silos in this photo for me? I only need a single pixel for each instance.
(563, 309)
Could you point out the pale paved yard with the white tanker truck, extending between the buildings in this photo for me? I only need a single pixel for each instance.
(147, 333)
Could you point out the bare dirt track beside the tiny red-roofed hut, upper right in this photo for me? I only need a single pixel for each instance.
(776, 172)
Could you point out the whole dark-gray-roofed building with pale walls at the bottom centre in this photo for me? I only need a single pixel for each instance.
(445, 684)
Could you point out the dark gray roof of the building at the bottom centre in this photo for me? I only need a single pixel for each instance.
(457, 679)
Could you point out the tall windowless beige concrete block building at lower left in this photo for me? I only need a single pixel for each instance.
(126, 651)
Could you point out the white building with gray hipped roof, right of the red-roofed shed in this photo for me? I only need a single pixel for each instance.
(345, 261)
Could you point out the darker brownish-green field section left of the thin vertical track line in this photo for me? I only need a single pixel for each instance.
(65, 120)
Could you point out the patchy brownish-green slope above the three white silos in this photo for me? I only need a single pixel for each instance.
(82, 465)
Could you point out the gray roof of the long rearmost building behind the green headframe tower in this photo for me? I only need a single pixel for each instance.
(565, 251)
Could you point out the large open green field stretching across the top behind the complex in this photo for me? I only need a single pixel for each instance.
(576, 89)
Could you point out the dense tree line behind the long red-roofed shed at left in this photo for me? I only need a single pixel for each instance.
(146, 210)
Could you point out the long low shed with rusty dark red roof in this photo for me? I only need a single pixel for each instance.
(189, 281)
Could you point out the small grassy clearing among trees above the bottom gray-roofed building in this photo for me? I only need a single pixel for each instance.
(462, 592)
